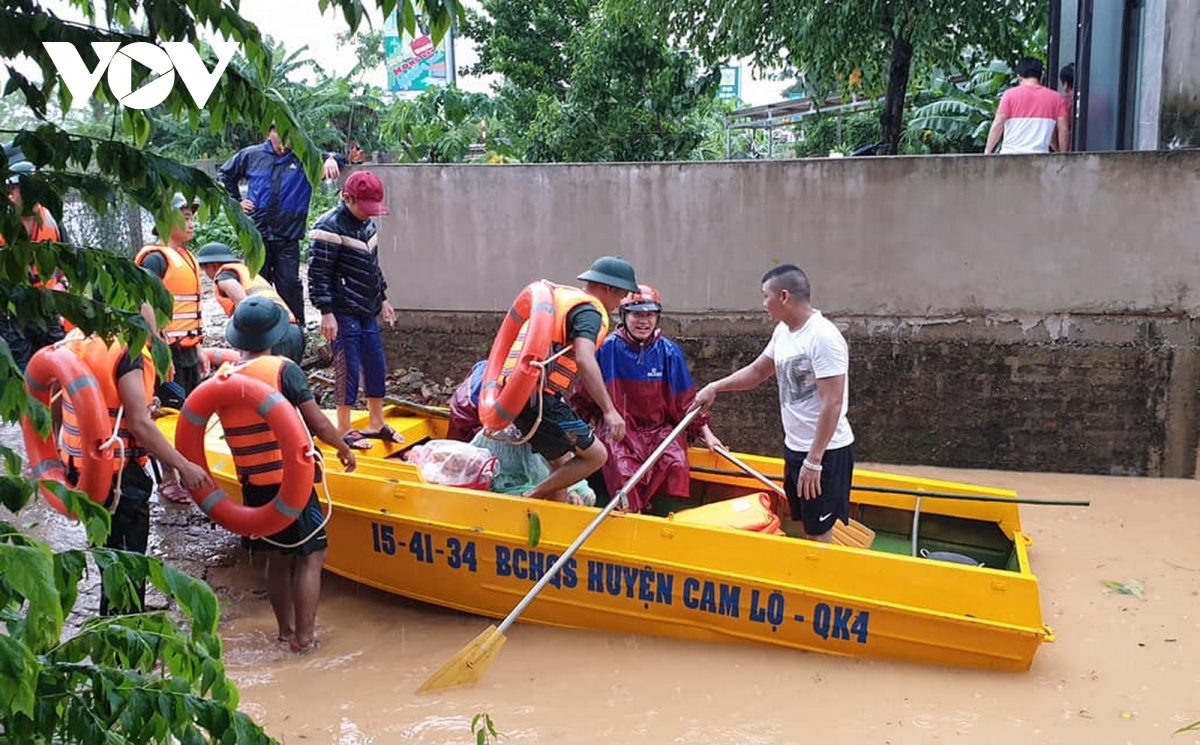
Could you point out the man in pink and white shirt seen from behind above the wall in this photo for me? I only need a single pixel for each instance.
(1028, 115)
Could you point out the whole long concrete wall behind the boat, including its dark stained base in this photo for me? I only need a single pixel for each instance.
(1023, 313)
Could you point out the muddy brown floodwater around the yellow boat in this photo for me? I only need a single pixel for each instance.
(1124, 670)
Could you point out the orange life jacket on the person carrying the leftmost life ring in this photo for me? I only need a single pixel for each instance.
(103, 361)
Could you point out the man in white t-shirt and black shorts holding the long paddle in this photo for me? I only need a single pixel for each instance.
(809, 358)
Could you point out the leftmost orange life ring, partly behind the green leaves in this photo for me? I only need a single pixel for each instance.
(57, 364)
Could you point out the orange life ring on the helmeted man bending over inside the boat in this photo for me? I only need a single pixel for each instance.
(533, 311)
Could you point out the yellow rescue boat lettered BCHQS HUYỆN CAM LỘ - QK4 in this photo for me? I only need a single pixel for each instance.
(665, 575)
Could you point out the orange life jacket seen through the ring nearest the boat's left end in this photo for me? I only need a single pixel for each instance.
(256, 453)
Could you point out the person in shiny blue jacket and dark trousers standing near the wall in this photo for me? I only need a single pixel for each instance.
(278, 196)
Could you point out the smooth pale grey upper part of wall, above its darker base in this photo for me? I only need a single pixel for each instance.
(1031, 237)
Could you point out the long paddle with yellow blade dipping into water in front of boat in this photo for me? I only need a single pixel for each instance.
(472, 662)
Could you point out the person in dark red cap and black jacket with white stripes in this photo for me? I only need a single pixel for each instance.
(347, 286)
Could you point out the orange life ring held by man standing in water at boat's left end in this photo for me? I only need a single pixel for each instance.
(230, 390)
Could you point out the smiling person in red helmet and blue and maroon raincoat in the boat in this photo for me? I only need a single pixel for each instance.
(649, 381)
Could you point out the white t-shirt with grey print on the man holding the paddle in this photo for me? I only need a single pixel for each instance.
(817, 351)
